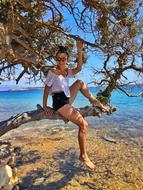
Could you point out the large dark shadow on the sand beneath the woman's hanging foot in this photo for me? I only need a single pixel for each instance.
(59, 172)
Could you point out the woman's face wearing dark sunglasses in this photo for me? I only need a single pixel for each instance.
(61, 60)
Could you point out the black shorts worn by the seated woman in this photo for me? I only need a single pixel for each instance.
(59, 100)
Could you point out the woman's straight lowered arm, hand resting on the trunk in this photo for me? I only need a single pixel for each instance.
(47, 111)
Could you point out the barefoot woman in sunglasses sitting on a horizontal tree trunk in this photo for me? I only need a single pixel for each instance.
(63, 96)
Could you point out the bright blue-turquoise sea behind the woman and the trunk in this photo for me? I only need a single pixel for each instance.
(129, 112)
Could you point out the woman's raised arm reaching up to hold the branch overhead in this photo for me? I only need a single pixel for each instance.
(79, 58)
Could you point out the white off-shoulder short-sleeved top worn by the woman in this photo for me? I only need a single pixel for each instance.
(58, 83)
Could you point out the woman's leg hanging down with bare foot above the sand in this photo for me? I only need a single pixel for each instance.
(74, 116)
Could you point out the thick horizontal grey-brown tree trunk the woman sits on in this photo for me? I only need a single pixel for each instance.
(35, 115)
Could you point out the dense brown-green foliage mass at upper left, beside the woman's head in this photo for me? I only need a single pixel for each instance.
(27, 38)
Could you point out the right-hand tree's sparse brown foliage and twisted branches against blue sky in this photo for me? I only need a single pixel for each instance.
(116, 28)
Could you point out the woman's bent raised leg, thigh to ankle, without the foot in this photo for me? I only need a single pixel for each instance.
(80, 85)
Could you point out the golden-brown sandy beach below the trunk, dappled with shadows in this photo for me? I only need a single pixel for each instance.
(48, 159)
